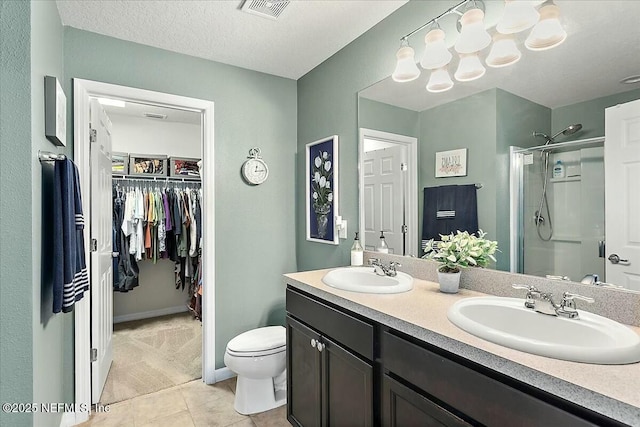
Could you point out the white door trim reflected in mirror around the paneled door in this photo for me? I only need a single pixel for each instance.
(412, 201)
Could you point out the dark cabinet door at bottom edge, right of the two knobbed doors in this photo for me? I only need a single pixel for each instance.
(403, 407)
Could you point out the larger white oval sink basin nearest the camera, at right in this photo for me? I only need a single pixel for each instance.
(506, 321)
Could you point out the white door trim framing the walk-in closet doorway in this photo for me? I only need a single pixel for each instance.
(83, 89)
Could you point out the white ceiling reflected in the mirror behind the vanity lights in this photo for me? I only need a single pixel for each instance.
(602, 47)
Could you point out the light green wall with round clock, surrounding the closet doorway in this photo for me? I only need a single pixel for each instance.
(255, 238)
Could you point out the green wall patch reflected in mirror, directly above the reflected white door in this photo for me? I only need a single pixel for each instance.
(387, 118)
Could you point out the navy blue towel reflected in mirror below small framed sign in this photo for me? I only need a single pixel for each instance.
(449, 208)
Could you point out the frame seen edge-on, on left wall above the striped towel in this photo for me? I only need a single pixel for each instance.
(55, 112)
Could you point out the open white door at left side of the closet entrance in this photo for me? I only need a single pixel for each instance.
(101, 255)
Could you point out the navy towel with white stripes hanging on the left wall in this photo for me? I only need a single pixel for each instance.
(70, 278)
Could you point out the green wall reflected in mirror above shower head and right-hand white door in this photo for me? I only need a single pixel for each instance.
(589, 113)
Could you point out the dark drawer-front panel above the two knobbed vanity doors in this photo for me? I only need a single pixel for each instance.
(343, 328)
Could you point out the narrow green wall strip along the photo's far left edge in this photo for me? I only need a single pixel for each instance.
(16, 179)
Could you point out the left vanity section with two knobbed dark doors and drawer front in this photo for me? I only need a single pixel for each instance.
(329, 379)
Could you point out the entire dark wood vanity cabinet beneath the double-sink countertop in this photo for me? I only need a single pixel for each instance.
(369, 374)
